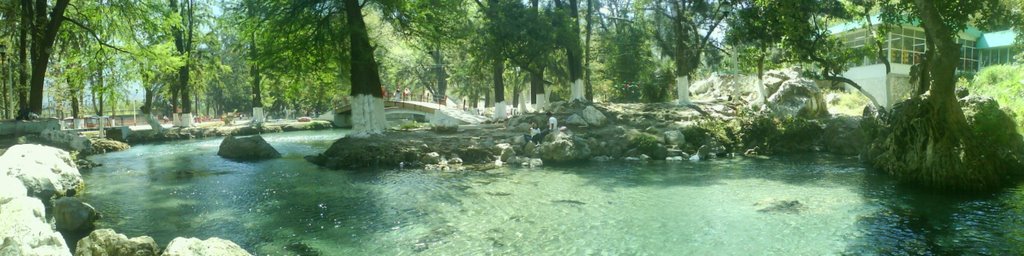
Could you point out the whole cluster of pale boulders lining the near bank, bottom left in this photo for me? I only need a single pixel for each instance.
(38, 184)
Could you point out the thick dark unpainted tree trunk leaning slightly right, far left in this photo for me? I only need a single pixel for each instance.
(42, 48)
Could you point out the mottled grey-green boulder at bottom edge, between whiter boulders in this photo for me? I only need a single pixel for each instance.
(108, 243)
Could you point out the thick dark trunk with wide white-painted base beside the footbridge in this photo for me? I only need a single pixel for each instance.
(368, 102)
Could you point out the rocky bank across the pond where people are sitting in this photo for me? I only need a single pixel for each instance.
(602, 133)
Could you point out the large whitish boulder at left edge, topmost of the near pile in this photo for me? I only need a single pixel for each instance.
(45, 172)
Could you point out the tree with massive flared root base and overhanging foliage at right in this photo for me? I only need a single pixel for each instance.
(927, 139)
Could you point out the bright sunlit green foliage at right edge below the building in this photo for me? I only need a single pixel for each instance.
(1004, 83)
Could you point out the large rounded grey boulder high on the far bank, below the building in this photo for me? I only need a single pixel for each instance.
(798, 98)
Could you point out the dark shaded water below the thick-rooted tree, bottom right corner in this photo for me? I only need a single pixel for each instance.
(916, 222)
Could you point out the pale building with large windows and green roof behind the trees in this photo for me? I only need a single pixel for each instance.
(906, 48)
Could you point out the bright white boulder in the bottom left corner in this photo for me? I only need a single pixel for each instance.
(24, 230)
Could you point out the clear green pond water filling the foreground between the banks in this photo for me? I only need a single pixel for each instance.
(288, 206)
